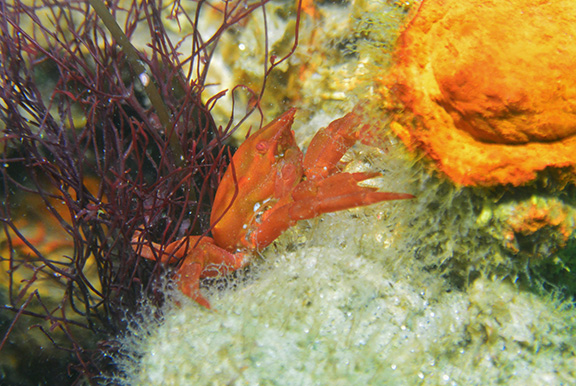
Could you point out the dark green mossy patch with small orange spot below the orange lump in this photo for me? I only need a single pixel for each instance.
(525, 234)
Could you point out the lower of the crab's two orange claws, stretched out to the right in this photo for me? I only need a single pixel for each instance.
(312, 198)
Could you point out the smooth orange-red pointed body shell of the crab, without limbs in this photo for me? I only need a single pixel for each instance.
(265, 169)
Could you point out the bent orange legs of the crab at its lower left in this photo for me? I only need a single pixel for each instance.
(201, 259)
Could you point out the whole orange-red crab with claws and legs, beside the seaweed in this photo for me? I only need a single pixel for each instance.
(267, 188)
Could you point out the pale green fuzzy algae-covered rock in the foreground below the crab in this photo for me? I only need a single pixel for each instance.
(323, 316)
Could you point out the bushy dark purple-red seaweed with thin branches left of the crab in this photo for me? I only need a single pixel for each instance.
(90, 155)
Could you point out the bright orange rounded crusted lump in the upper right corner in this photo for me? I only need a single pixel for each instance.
(487, 89)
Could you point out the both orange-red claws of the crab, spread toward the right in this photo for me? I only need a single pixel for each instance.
(324, 189)
